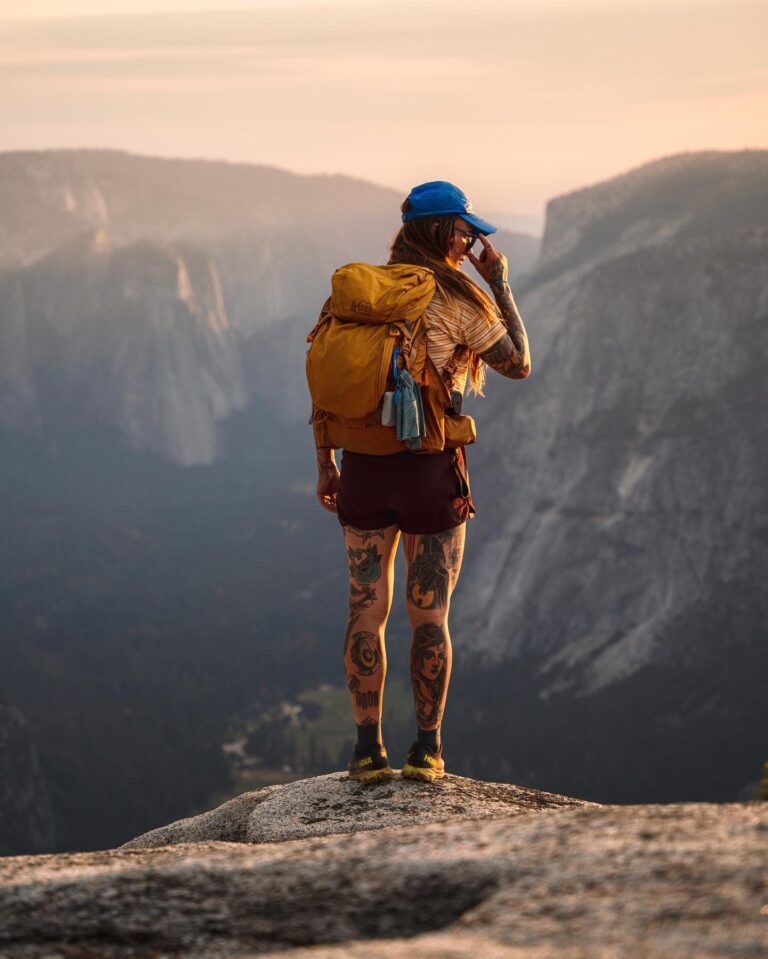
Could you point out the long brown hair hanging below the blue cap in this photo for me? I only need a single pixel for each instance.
(425, 241)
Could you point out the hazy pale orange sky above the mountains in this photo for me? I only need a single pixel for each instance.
(515, 101)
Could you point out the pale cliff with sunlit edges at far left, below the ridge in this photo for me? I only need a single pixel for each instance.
(136, 338)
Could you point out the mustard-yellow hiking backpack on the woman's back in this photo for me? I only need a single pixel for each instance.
(371, 311)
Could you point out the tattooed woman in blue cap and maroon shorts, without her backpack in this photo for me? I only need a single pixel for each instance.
(379, 497)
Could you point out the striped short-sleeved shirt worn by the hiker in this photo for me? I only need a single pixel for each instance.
(453, 322)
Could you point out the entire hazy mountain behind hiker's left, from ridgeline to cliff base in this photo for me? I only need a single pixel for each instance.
(131, 286)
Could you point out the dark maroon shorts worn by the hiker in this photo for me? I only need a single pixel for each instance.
(420, 492)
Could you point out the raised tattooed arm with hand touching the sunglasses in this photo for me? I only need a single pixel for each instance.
(509, 355)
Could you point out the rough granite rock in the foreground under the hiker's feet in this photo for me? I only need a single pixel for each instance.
(538, 877)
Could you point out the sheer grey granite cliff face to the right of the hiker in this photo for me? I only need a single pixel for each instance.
(637, 460)
